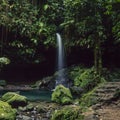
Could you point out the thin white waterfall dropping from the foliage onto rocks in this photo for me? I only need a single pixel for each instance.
(61, 77)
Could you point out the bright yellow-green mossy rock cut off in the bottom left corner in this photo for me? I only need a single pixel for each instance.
(6, 112)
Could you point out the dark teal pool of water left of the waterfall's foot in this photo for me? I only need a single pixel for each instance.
(33, 95)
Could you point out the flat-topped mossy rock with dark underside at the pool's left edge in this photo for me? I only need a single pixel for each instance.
(14, 99)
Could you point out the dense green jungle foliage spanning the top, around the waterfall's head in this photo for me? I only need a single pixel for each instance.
(27, 25)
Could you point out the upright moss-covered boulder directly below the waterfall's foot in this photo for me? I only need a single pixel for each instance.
(62, 95)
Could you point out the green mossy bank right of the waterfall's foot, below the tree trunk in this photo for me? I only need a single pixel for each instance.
(85, 78)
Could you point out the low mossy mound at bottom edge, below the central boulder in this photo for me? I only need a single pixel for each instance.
(68, 113)
